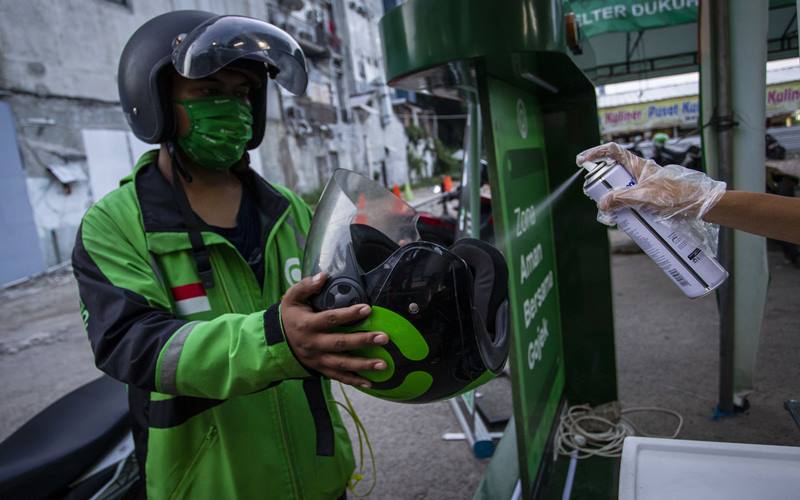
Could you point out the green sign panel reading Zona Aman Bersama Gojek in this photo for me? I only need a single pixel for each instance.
(518, 190)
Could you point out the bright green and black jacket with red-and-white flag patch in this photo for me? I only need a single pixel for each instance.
(221, 408)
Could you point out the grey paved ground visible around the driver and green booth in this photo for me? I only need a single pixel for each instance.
(666, 351)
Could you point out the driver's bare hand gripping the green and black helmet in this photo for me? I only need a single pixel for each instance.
(315, 346)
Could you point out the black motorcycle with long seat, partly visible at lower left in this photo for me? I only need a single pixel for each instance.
(79, 447)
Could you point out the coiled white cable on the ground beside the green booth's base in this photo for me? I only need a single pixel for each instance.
(585, 432)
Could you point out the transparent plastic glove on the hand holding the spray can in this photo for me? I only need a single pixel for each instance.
(678, 196)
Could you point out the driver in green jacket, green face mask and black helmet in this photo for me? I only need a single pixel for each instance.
(186, 277)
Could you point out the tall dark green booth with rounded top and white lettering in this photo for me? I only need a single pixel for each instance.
(531, 110)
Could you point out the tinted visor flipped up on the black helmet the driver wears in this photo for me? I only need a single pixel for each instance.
(224, 39)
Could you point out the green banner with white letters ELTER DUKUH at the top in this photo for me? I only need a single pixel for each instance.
(596, 17)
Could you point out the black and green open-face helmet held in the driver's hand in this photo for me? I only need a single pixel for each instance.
(445, 310)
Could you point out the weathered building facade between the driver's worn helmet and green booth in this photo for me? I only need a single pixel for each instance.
(369, 138)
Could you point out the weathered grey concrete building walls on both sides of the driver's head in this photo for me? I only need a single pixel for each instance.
(58, 73)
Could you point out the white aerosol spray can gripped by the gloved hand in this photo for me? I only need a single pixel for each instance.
(690, 268)
